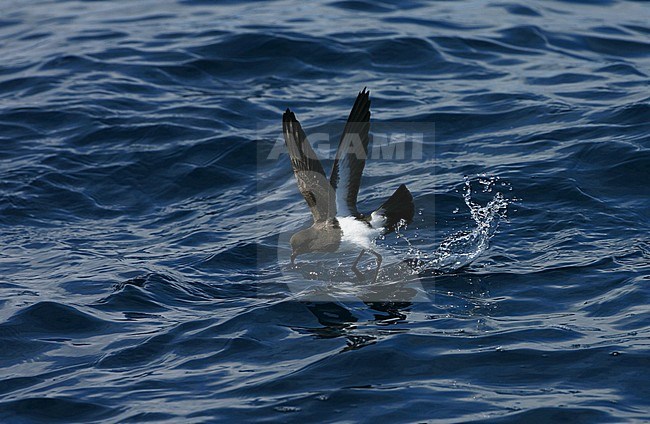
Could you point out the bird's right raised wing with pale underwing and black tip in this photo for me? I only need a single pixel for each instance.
(351, 156)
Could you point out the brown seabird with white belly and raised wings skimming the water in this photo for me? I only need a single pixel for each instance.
(338, 226)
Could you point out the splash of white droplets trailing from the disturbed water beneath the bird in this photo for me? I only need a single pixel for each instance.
(400, 265)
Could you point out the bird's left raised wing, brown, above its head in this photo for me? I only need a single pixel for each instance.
(309, 172)
